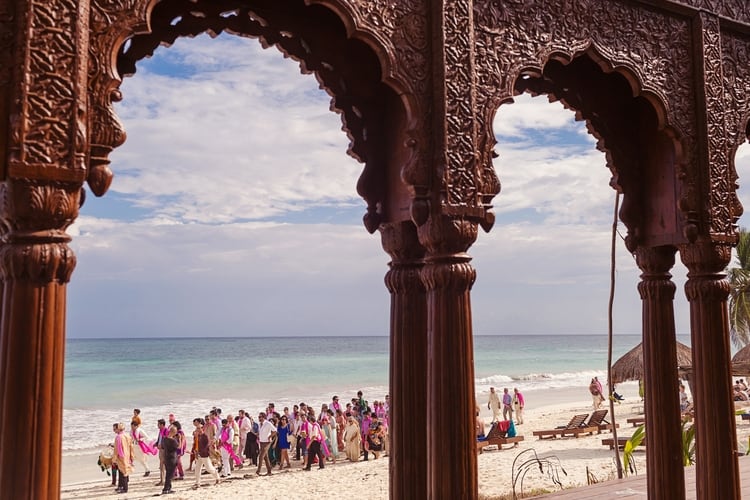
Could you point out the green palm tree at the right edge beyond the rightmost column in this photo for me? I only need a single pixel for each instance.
(739, 293)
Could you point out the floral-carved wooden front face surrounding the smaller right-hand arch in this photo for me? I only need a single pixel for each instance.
(652, 48)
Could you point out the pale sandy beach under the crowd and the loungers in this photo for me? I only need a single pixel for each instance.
(578, 457)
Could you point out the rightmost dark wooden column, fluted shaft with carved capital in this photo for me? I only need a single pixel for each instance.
(717, 471)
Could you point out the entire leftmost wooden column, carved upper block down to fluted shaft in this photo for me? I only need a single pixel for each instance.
(43, 152)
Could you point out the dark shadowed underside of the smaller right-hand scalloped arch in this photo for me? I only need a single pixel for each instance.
(626, 121)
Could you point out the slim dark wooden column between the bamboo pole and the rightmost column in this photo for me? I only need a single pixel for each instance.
(666, 478)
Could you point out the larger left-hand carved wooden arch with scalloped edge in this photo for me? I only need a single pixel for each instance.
(327, 37)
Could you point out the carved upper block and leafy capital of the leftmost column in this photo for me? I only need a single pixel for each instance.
(45, 91)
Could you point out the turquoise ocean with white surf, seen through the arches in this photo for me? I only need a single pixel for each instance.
(106, 378)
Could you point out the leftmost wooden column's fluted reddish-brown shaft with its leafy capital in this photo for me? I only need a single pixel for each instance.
(35, 264)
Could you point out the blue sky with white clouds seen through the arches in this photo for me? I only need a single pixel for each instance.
(234, 212)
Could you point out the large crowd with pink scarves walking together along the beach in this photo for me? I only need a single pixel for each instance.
(221, 445)
